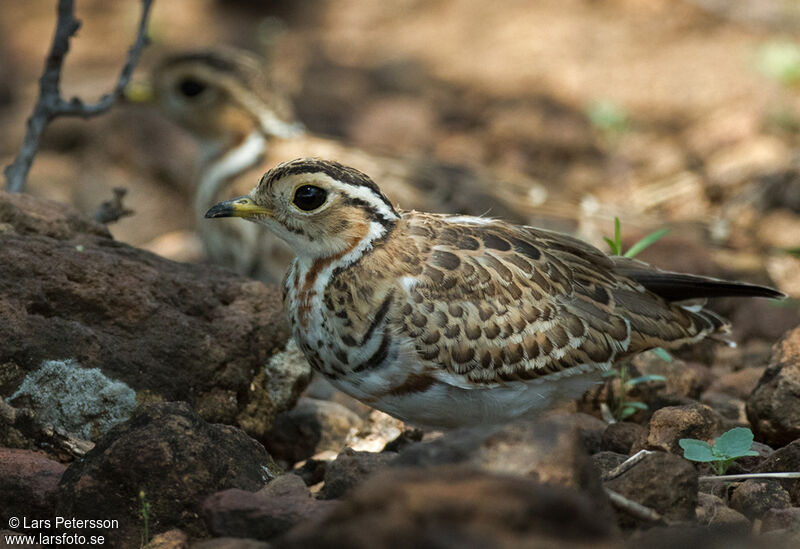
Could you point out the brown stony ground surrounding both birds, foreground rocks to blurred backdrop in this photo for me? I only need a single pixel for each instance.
(123, 372)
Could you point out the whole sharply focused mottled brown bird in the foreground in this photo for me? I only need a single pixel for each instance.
(452, 320)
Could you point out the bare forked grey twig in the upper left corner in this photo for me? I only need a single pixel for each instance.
(50, 104)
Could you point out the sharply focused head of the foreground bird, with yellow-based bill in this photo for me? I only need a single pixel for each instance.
(320, 208)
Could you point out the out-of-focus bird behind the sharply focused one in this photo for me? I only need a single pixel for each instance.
(244, 124)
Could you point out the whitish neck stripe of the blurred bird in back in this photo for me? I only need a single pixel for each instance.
(220, 164)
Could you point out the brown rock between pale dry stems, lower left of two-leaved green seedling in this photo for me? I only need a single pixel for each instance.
(663, 482)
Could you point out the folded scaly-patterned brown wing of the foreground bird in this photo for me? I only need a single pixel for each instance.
(494, 302)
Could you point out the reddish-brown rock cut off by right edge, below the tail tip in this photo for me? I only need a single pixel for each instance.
(774, 406)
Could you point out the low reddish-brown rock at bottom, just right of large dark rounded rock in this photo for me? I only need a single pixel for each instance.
(262, 515)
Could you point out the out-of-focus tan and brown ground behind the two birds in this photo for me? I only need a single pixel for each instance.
(667, 113)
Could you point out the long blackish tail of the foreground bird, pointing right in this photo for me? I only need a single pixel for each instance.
(680, 287)
